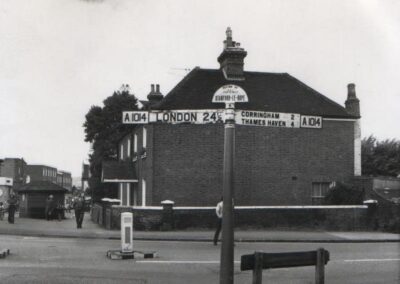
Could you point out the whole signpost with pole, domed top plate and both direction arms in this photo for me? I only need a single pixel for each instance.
(228, 94)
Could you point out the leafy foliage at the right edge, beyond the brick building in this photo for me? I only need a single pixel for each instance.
(380, 158)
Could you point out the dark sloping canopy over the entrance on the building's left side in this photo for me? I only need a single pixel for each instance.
(118, 171)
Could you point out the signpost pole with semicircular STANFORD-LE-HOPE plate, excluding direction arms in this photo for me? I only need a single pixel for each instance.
(228, 94)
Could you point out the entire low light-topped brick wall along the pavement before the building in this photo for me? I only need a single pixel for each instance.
(345, 218)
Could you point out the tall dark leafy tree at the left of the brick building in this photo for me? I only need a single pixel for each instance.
(103, 129)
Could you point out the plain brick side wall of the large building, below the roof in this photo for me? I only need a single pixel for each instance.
(274, 166)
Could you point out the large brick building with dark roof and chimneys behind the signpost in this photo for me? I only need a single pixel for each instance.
(274, 165)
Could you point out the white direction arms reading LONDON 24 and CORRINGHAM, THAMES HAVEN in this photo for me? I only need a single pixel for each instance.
(242, 117)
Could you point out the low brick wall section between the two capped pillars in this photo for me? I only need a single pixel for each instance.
(347, 218)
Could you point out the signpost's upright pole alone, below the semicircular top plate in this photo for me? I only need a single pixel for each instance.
(227, 255)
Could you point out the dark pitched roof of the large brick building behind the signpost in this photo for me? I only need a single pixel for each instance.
(272, 92)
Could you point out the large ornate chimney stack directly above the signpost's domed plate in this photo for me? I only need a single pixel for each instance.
(232, 58)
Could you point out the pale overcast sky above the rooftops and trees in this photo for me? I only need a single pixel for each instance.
(60, 57)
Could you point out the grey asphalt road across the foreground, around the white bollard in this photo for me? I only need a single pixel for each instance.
(65, 260)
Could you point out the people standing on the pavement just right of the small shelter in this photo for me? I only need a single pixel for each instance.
(53, 209)
